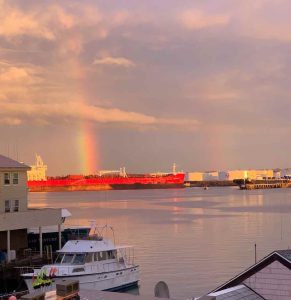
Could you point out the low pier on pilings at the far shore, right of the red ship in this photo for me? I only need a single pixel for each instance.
(266, 183)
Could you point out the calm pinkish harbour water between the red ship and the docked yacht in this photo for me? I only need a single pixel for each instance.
(193, 239)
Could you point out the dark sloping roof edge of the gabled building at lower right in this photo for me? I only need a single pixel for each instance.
(282, 256)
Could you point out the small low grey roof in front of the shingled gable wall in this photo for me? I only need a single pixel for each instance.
(240, 292)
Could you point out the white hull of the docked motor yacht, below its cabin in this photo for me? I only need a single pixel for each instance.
(107, 281)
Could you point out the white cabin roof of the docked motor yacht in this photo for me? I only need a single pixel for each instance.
(85, 246)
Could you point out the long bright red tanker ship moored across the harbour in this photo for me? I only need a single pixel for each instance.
(105, 180)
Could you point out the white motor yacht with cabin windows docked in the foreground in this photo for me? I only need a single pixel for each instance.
(96, 262)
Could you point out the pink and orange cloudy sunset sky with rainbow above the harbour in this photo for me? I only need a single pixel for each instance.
(93, 85)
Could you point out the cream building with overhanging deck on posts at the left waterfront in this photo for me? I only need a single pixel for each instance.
(15, 216)
